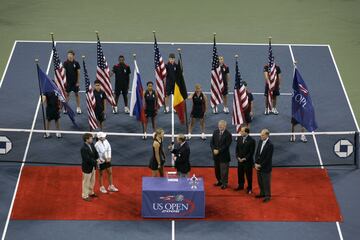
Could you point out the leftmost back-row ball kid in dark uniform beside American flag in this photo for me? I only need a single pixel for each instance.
(72, 71)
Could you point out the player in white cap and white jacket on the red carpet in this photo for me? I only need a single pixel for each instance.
(104, 150)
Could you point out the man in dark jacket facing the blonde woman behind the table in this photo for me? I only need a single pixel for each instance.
(182, 157)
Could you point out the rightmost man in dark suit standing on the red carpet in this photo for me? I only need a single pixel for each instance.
(263, 165)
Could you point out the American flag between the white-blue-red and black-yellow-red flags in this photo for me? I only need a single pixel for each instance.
(160, 73)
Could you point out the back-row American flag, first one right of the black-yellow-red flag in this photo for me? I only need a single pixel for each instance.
(217, 84)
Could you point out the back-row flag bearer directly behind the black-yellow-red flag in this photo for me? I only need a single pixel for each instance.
(172, 69)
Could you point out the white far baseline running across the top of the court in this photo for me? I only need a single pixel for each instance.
(179, 43)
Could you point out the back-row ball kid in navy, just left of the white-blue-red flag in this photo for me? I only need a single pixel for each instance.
(122, 81)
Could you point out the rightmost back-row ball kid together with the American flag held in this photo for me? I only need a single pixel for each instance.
(272, 75)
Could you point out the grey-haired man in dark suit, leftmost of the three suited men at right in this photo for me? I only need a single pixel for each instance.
(220, 146)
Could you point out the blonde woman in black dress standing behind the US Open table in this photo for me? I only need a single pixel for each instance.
(157, 160)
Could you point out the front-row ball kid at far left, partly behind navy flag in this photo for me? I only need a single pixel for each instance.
(52, 112)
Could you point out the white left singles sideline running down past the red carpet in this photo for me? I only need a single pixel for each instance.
(24, 158)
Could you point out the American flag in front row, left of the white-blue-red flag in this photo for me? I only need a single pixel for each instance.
(90, 101)
